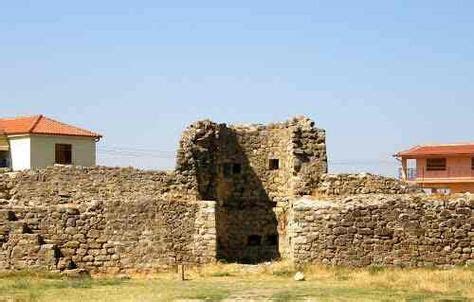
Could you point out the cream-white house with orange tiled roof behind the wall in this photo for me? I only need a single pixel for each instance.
(37, 142)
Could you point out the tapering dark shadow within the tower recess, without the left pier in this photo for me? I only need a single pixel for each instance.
(247, 226)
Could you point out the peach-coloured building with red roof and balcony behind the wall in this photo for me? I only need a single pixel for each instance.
(439, 168)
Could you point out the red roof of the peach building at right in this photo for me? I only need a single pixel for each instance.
(430, 150)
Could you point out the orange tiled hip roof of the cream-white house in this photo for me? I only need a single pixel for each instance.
(40, 124)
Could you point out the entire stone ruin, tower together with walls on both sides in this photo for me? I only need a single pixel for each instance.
(244, 194)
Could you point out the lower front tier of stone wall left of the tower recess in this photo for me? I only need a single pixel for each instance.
(140, 237)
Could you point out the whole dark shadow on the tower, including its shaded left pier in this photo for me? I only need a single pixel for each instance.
(246, 223)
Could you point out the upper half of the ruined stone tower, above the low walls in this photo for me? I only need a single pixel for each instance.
(232, 163)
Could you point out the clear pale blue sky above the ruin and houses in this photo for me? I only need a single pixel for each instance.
(379, 76)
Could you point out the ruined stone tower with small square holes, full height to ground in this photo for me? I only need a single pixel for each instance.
(252, 171)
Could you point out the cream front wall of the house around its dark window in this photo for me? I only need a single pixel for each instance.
(43, 150)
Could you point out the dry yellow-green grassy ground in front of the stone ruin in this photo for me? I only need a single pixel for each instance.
(246, 283)
